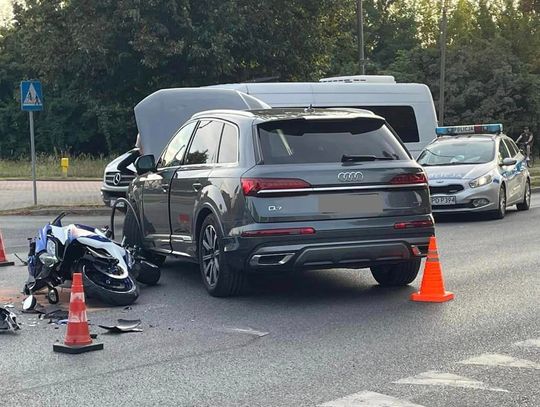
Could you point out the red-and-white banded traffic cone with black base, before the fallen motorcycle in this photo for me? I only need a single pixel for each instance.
(77, 334)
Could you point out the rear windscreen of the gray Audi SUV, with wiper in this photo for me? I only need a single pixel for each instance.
(323, 141)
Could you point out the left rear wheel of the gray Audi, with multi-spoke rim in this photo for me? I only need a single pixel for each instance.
(220, 279)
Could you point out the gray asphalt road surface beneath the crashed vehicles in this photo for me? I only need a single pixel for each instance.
(329, 338)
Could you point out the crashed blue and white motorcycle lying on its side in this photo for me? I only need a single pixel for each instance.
(110, 271)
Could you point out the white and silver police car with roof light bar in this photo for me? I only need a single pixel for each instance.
(476, 169)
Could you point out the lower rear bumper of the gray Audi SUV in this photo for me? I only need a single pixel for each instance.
(336, 249)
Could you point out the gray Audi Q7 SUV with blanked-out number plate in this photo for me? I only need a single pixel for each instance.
(247, 193)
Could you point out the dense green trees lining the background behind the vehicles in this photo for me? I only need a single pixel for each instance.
(98, 59)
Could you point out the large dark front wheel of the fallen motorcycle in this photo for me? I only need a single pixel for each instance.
(110, 291)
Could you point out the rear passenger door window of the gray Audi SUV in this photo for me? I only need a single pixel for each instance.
(203, 149)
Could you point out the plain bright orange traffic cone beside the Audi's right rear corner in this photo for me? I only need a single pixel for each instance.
(432, 287)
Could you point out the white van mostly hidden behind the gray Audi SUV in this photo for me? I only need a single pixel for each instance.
(408, 107)
